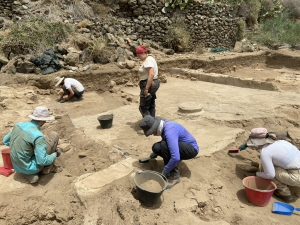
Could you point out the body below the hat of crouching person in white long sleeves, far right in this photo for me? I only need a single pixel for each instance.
(281, 162)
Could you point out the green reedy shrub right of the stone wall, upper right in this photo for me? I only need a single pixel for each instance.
(278, 30)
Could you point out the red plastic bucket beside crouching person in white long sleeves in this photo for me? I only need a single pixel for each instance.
(258, 190)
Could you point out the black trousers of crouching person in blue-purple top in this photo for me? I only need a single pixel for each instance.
(186, 151)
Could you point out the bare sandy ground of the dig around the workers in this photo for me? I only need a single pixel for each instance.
(210, 191)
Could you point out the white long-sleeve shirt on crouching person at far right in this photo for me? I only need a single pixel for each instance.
(282, 154)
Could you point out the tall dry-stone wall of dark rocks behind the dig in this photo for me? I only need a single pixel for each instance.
(210, 25)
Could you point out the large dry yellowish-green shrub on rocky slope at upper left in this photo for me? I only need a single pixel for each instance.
(33, 36)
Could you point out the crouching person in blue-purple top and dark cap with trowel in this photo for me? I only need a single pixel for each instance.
(177, 144)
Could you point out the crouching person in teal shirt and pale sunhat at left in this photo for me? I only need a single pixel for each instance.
(32, 152)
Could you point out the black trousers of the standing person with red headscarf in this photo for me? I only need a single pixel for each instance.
(147, 104)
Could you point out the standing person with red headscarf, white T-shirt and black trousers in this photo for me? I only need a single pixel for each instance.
(149, 82)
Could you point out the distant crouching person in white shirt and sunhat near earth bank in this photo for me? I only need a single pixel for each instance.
(71, 89)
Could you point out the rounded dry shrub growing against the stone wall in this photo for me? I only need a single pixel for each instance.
(178, 37)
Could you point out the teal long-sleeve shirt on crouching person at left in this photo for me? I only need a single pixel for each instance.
(28, 148)
